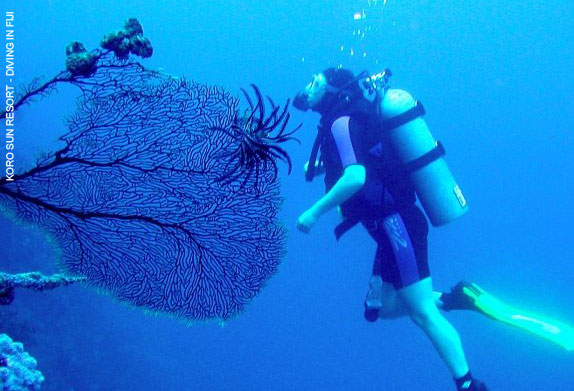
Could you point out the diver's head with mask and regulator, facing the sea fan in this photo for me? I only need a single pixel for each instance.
(333, 85)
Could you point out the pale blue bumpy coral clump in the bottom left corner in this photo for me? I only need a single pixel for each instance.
(17, 368)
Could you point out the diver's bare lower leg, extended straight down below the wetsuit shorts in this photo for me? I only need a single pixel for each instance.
(418, 298)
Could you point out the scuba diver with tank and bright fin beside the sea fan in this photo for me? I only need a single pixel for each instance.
(377, 155)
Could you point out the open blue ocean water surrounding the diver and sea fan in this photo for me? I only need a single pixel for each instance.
(496, 82)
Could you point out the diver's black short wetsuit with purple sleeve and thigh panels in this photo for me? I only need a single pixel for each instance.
(385, 205)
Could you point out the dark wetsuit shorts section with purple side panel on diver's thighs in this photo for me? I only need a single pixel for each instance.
(402, 251)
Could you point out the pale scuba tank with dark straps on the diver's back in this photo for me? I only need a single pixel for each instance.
(414, 145)
